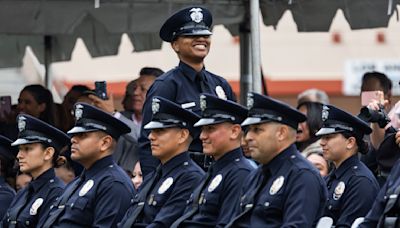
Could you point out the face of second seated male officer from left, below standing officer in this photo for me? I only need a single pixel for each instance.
(166, 143)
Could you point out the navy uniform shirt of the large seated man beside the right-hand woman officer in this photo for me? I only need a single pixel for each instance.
(294, 195)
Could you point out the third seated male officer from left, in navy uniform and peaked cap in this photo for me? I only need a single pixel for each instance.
(212, 202)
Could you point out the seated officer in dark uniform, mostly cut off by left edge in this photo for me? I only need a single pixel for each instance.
(7, 159)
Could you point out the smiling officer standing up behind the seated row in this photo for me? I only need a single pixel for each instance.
(188, 31)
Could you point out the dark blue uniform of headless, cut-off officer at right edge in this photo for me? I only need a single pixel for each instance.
(386, 207)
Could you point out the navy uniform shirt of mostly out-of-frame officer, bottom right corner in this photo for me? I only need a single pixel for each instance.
(388, 191)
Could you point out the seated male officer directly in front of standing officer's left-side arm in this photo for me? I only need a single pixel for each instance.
(162, 198)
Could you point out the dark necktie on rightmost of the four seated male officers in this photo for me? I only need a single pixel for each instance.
(266, 174)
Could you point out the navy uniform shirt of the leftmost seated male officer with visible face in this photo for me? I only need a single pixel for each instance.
(101, 199)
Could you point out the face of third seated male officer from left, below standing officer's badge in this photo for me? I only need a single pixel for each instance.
(217, 139)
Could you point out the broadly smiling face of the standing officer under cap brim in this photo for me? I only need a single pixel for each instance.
(192, 49)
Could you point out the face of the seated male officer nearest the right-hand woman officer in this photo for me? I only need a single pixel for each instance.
(262, 141)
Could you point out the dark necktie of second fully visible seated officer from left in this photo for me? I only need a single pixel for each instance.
(61, 203)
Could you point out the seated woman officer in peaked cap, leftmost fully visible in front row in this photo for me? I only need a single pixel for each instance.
(39, 148)
